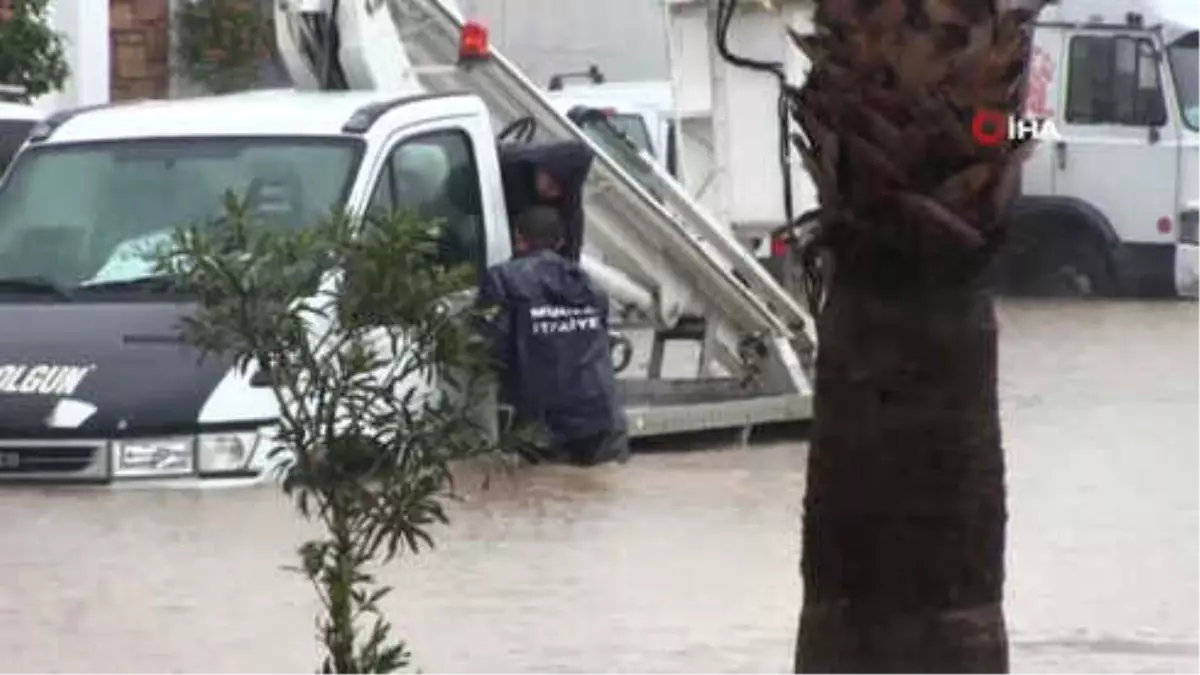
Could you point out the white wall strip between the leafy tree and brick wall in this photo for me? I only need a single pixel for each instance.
(85, 27)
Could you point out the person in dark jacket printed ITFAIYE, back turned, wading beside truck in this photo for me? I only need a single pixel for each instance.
(549, 331)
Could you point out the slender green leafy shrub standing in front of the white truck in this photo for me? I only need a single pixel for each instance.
(362, 344)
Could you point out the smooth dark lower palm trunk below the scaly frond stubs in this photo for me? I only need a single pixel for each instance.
(904, 527)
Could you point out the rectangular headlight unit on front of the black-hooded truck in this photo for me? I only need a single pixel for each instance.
(183, 456)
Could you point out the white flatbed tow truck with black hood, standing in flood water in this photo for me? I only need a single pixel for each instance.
(95, 383)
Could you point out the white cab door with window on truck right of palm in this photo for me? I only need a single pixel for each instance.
(1120, 141)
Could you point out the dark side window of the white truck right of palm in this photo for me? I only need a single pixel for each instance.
(1114, 80)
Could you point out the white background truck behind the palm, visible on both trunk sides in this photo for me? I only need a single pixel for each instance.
(1111, 210)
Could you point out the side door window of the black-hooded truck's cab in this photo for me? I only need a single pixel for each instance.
(435, 177)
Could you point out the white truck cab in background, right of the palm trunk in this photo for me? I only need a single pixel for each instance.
(1114, 206)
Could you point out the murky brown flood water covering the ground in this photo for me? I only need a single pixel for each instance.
(673, 564)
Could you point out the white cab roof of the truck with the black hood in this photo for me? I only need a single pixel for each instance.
(280, 112)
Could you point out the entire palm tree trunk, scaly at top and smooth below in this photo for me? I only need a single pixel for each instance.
(905, 516)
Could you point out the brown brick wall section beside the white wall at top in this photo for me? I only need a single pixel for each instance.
(140, 38)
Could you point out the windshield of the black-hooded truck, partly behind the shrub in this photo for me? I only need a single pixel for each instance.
(97, 213)
